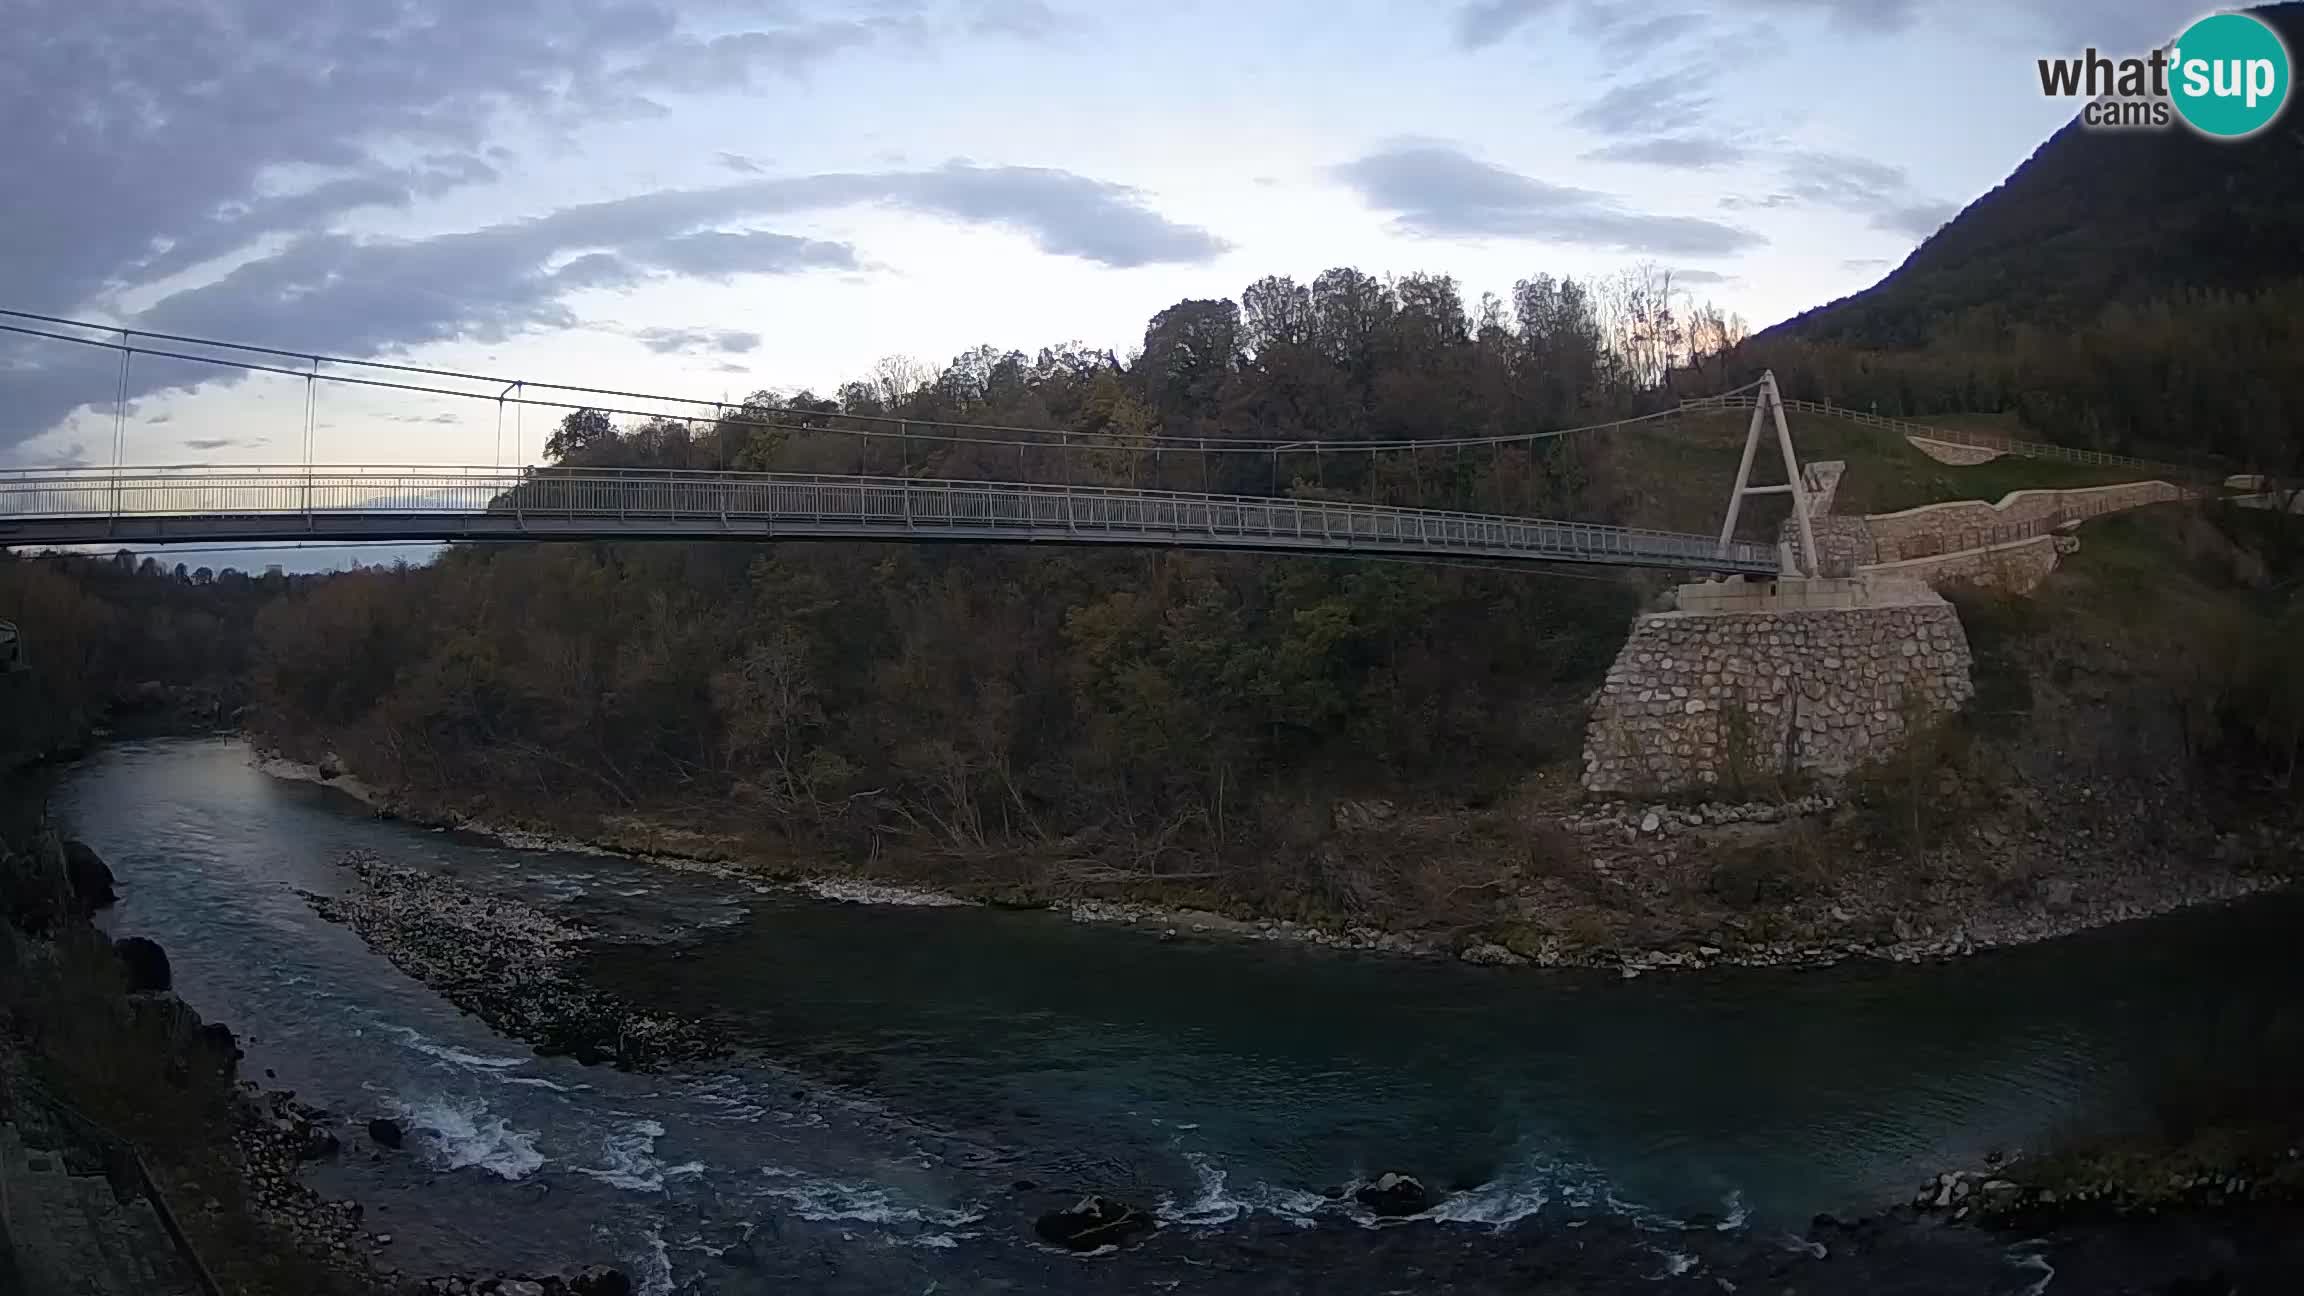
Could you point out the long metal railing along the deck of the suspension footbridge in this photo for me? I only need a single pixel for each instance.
(453, 502)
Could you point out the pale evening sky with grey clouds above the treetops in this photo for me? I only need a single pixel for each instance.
(729, 195)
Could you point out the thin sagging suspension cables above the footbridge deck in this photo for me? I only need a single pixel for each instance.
(1162, 442)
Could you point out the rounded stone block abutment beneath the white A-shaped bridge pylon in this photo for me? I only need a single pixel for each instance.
(1697, 700)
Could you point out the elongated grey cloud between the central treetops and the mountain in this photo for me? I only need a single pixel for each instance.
(1439, 193)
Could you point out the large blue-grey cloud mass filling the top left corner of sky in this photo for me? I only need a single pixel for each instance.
(160, 130)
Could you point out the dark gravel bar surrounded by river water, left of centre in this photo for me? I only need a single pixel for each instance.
(508, 965)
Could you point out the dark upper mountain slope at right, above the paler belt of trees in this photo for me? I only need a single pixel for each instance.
(2095, 218)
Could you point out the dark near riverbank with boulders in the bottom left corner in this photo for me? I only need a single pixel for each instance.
(165, 1170)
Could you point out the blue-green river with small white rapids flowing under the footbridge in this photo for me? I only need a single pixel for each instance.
(902, 1071)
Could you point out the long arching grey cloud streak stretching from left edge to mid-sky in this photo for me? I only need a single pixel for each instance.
(351, 296)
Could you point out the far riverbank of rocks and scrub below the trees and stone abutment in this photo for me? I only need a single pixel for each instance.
(1619, 887)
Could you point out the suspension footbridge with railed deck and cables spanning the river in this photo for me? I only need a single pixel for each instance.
(1026, 485)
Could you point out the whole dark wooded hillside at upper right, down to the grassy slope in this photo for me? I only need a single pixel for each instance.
(2137, 292)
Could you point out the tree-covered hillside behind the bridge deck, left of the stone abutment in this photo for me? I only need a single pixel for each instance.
(1142, 707)
